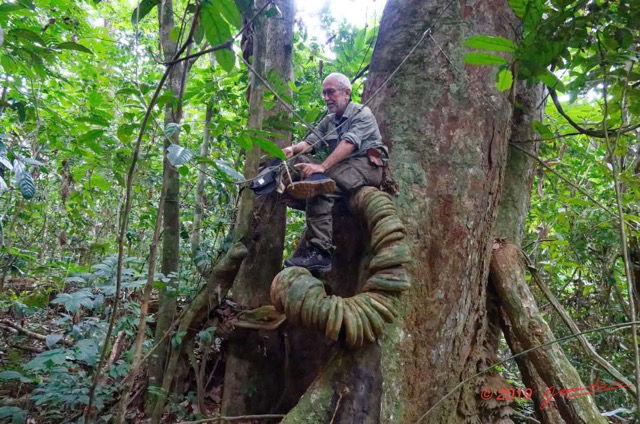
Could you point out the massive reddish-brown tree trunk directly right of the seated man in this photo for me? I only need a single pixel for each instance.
(449, 147)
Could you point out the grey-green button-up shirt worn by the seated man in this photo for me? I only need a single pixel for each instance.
(357, 126)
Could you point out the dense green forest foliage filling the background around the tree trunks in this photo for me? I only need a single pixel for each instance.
(77, 79)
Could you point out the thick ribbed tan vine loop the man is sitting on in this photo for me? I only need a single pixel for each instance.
(304, 300)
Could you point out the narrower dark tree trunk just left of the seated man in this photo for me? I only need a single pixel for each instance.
(255, 360)
